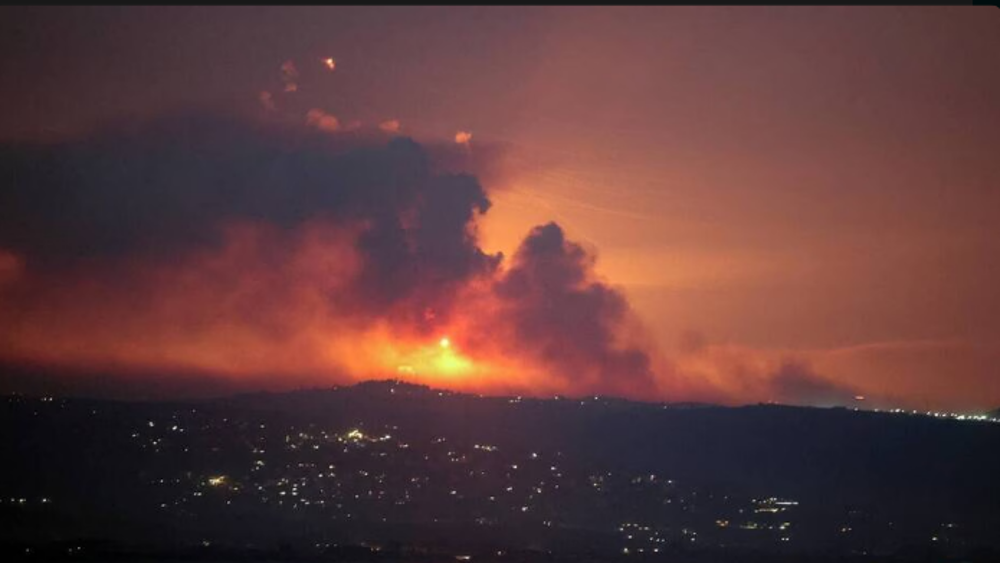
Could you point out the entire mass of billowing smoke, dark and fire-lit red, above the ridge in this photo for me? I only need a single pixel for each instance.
(280, 253)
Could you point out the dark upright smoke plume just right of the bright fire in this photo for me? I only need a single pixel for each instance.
(571, 321)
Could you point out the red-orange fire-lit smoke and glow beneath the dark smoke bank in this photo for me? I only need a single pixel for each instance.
(249, 311)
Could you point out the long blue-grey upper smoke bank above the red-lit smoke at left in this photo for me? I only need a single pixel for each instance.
(166, 187)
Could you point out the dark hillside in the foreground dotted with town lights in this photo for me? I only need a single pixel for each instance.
(386, 471)
